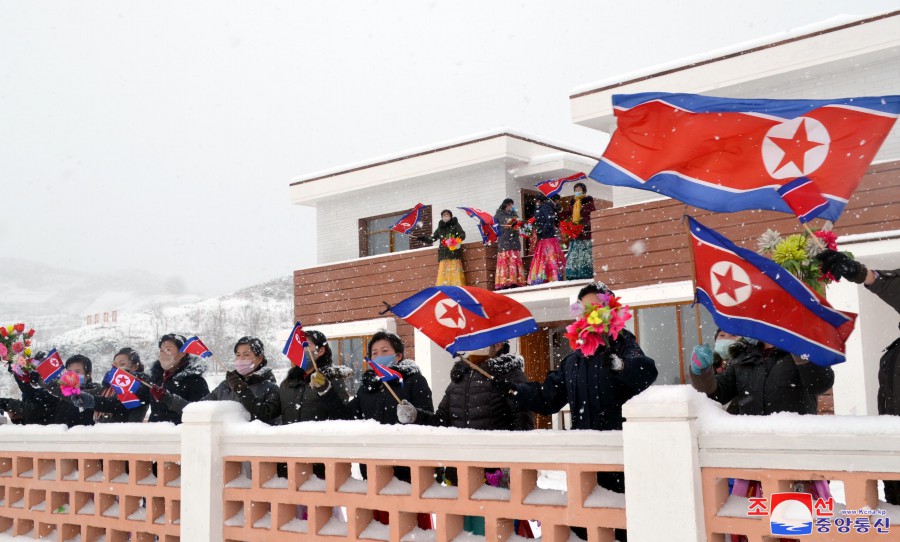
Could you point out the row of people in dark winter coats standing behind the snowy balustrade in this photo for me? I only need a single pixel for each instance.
(488, 391)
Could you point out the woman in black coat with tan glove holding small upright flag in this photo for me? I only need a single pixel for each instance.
(319, 395)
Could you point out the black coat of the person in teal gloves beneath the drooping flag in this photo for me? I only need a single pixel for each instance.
(765, 381)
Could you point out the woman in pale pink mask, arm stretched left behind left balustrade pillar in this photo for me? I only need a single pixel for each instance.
(251, 384)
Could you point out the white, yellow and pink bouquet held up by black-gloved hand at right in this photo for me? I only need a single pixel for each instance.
(797, 253)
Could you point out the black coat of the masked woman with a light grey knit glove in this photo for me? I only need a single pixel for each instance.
(373, 402)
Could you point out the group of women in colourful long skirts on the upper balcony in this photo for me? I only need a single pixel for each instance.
(549, 262)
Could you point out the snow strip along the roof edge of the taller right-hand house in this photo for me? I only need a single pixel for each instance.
(833, 23)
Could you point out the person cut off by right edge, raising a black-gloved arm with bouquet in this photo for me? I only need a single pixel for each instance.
(886, 285)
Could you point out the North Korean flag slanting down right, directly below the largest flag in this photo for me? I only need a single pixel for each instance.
(752, 296)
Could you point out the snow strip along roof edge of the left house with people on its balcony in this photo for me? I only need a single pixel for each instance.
(442, 145)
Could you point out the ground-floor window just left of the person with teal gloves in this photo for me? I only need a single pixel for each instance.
(668, 333)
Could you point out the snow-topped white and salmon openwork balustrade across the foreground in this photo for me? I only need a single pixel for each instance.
(219, 477)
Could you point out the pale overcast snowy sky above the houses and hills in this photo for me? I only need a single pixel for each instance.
(162, 135)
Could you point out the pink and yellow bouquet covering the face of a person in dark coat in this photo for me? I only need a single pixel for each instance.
(596, 323)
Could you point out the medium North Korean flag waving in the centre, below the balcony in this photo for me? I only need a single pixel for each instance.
(465, 318)
